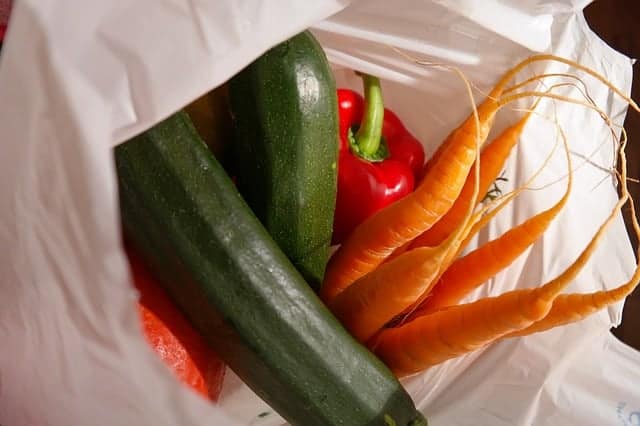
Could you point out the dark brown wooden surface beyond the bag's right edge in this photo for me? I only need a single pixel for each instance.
(617, 22)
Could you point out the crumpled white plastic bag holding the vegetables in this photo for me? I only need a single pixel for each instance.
(77, 78)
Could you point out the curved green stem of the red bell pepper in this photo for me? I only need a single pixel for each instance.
(370, 132)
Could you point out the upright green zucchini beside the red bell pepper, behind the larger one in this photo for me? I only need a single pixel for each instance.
(285, 117)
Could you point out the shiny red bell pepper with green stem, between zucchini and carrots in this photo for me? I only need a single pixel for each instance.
(379, 159)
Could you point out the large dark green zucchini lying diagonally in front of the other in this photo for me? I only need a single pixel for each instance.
(184, 216)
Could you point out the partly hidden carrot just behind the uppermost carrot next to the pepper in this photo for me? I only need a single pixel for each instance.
(492, 160)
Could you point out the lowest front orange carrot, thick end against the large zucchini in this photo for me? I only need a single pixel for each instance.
(433, 338)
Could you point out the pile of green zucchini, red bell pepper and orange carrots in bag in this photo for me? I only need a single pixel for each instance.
(324, 339)
